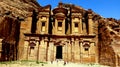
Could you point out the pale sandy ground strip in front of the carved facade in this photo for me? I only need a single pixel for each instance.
(48, 64)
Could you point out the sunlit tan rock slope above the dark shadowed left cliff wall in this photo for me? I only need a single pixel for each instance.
(18, 7)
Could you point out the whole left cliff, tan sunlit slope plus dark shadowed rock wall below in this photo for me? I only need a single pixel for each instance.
(11, 14)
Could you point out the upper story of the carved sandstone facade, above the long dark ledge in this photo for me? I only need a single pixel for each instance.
(62, 20)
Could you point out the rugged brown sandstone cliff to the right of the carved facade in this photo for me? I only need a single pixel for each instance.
(109, 41)
